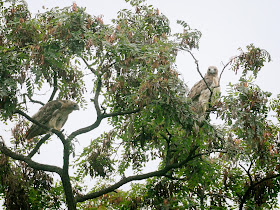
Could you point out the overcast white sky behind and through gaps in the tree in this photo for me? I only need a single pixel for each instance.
(225, 26)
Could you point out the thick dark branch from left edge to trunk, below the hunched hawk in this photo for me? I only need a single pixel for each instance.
(31, 163)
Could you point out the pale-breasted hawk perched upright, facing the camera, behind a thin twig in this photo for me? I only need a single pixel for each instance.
(200, 94)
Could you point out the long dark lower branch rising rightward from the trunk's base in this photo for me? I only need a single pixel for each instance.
(125, 180)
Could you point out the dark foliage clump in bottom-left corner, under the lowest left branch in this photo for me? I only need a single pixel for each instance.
(26, 188)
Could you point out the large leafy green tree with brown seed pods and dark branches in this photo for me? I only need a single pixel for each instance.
(129, 69)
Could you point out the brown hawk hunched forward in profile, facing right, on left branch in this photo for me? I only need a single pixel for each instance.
(53, 114)
